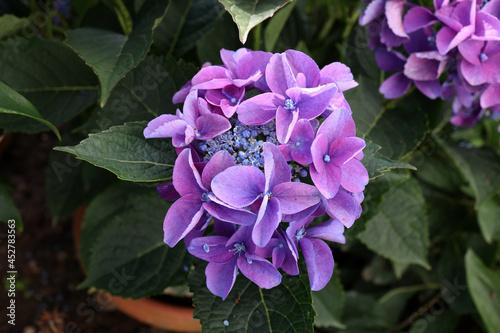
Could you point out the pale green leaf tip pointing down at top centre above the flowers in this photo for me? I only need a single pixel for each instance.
(247, 14)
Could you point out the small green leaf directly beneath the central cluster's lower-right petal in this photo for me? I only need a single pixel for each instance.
(329, 302)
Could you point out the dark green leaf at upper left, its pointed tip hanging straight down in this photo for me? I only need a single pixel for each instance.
(112, 55)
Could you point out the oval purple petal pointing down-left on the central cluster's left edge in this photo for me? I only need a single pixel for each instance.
(181, 218)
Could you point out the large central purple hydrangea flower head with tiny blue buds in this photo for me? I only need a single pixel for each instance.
(265, 144)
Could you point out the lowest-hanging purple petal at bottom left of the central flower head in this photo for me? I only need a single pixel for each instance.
(221, 277)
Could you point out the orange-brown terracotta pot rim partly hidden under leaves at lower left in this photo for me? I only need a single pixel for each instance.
(146, 310)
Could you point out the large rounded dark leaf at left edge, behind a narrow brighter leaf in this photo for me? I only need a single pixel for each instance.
(62, 87)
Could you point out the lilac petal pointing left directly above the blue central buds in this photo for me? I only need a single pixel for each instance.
(260, 109)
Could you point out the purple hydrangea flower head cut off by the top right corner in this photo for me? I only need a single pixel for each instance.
(450, 50)
